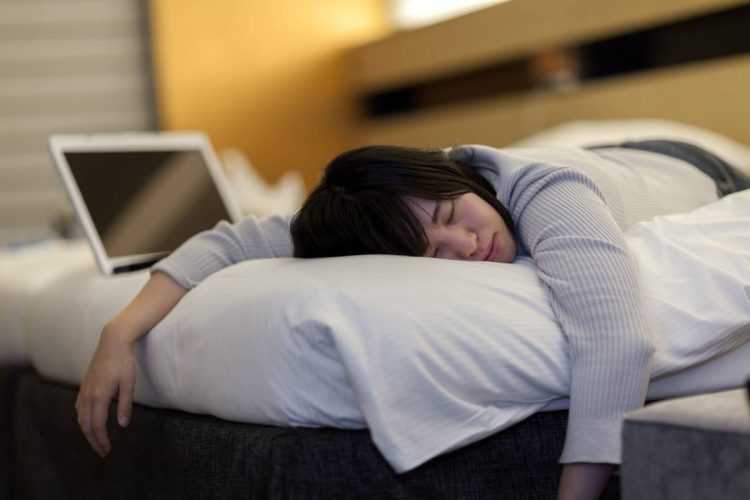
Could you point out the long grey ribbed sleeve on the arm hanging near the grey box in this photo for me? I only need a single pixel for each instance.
(593, 283)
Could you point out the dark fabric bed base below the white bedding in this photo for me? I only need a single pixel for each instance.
(172, 454)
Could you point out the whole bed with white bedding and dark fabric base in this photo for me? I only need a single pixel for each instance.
(196, 434)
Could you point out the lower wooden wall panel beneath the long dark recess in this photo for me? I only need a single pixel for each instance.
(712, 95)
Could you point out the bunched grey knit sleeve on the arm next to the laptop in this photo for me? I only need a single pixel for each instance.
(224, 245)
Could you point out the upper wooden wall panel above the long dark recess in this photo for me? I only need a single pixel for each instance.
(508, 30)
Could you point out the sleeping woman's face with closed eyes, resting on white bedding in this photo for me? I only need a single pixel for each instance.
(465, 228)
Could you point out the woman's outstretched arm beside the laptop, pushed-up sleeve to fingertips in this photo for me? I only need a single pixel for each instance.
(111, 371)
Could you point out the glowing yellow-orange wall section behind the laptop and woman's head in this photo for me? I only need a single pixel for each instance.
(269, 78)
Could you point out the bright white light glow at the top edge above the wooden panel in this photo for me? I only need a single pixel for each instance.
(406, 14)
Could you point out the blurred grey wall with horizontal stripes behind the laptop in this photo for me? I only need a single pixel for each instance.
(65, 66)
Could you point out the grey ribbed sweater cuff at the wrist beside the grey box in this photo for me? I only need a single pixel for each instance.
(593, 440)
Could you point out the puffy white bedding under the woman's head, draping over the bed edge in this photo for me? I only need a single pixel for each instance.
(429, 354)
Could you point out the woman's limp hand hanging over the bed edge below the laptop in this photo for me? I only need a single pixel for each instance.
(111, 373)
